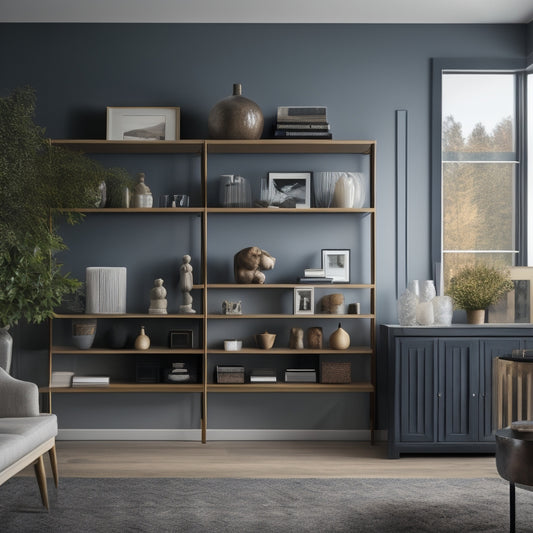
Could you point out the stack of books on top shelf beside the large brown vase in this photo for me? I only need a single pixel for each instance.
(302, 122)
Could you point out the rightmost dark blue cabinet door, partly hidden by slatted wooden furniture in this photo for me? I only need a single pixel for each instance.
(491, 348)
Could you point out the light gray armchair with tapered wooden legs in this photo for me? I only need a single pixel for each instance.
(25, 434)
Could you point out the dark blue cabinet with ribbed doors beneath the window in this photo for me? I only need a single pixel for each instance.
(440, 385)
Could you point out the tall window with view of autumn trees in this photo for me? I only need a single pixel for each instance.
(478, 200)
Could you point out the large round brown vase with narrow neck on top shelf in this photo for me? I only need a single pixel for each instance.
(235, 117)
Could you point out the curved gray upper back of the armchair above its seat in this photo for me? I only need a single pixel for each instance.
(17, 398)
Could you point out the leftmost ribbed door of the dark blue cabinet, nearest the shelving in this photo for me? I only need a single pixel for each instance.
(415, 386)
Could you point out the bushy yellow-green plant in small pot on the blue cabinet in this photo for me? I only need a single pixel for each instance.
(477, 287)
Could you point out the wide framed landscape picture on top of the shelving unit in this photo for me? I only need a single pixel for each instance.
(143, 123)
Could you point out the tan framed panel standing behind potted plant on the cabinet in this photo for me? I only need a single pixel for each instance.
(517, 305)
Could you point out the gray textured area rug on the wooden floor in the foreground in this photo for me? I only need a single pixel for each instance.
(263, 505)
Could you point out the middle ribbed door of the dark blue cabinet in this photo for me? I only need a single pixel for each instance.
(458, 390)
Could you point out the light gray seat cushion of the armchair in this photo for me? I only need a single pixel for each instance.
(19, 436)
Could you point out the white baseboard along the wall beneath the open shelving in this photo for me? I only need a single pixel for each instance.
(219, 434)
